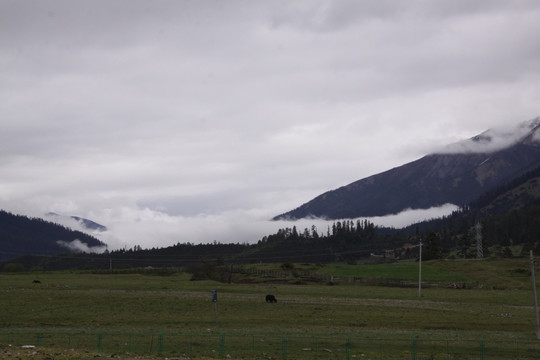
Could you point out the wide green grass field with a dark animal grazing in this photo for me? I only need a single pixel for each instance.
(171, 315)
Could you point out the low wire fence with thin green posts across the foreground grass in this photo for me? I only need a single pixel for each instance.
(212, 343)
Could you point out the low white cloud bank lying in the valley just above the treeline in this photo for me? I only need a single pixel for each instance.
(149, 228)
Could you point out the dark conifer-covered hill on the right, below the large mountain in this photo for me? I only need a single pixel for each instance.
(508, 216)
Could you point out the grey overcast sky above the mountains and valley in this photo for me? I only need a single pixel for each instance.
(177, 121)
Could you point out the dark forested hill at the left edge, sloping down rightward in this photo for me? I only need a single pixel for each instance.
(21, 235)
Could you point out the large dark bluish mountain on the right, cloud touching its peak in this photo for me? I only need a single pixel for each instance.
(457, 174)
